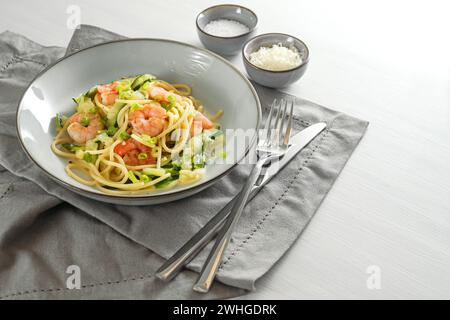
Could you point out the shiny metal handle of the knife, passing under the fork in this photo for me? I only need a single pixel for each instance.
(189, 250)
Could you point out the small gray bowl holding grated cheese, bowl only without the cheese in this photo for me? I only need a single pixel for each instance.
(270, 78)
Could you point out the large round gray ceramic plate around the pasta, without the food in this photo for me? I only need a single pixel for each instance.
(214, 81)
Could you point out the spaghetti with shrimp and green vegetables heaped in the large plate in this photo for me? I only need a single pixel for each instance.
(137, 134)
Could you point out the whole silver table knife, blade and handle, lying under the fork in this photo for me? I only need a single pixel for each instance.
(188, 251)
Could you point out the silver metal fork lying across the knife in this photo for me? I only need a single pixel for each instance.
(272, 144)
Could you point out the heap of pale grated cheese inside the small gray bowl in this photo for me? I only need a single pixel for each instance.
(276, 58)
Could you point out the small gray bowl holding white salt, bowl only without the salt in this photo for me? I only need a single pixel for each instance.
(227, 46)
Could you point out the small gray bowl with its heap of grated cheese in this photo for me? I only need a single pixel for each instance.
(275, 60)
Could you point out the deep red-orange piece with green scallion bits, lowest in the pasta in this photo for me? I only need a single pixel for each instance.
(134, 153)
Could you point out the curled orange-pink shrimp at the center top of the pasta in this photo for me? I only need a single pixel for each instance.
(148, 120)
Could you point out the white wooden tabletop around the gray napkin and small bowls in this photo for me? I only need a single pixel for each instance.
(385, 62)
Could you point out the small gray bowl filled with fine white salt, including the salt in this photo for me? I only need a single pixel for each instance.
(225, 28)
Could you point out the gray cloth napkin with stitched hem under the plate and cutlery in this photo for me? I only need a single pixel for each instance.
(46, 228)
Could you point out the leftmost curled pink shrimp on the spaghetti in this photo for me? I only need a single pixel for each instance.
(81, 132)
